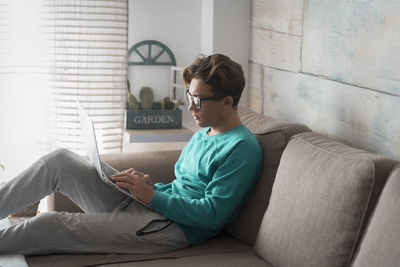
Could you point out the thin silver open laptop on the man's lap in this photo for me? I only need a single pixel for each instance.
(104, 170)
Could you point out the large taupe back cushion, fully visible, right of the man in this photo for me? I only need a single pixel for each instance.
(323, 194)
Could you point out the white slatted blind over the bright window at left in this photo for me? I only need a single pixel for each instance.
(53, 52)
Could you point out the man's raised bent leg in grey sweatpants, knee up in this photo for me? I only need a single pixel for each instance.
(59, 171)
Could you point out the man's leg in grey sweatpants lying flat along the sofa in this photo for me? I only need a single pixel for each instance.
(113, 232)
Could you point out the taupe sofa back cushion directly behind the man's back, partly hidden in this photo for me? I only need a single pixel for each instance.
(273, 136)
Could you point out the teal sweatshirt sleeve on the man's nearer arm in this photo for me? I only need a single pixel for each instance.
(225, 193)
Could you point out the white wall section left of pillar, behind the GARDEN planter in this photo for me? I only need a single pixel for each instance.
(176, 23)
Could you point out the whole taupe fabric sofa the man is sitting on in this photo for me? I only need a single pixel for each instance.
(318, 202)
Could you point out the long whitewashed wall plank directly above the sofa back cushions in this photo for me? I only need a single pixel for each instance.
(367, 118)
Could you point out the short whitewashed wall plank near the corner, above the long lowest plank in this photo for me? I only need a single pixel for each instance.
(274, 49)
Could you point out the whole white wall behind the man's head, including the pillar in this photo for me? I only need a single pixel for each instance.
(188, 28)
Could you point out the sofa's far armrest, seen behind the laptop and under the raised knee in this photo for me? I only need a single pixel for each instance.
(158, 164)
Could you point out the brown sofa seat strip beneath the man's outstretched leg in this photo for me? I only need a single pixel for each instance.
(217, 248)
